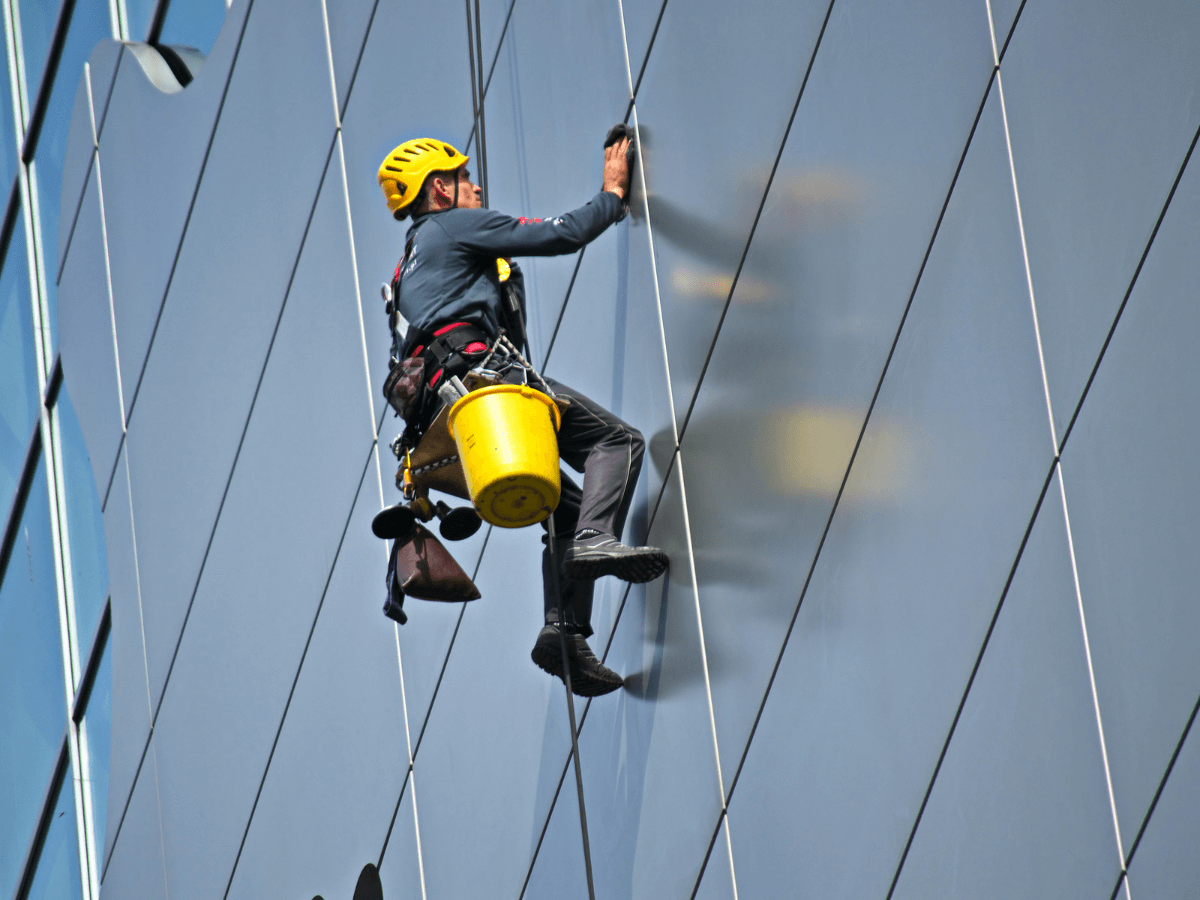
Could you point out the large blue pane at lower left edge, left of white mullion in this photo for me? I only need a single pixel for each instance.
(33, 704)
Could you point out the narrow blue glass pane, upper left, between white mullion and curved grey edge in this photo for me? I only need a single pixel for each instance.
(89, 25)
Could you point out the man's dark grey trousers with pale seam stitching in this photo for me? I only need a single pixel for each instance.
(609, 453)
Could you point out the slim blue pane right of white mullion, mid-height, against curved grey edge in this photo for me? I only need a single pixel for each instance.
(86, 526)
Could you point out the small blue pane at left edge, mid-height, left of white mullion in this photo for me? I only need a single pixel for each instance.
(19, 373)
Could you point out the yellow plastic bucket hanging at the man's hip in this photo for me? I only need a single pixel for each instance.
(509, 452)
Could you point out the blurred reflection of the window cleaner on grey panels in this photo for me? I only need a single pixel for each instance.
(771, 442)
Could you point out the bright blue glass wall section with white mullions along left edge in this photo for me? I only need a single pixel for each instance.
(56, 673)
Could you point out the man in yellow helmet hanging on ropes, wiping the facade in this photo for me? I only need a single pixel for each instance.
(459, 291)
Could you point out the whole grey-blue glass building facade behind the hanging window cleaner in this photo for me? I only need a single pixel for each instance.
(902, 309)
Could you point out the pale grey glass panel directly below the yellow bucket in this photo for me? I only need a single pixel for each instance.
(497, 801)
